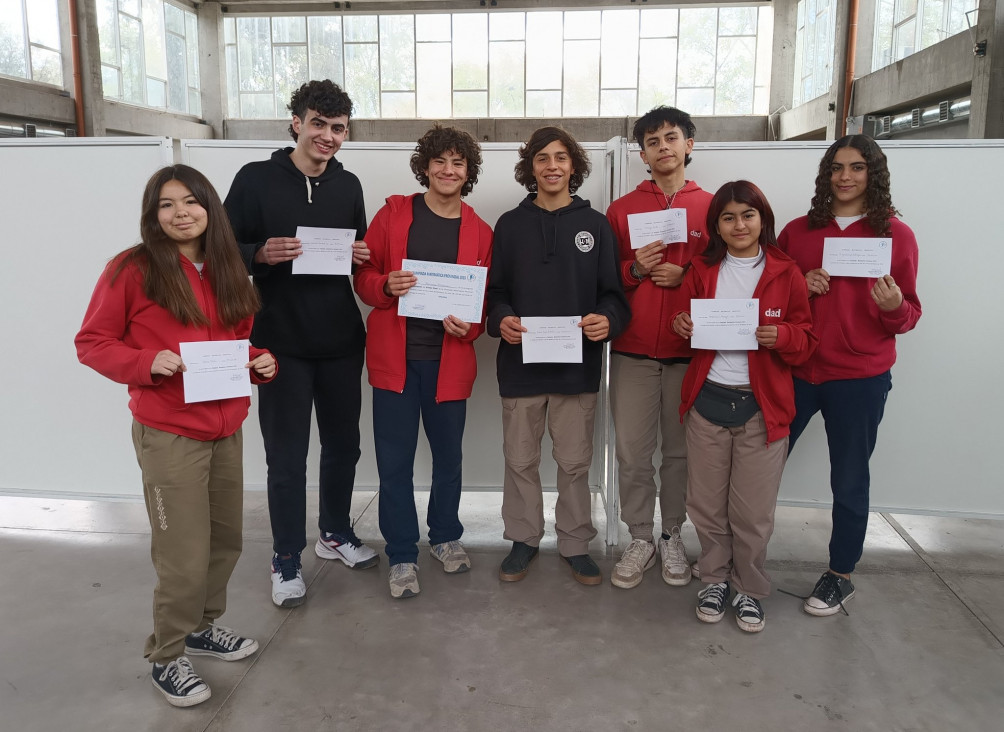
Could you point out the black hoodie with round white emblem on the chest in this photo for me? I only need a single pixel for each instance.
(550, 264)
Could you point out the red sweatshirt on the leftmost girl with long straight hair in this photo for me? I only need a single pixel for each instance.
(123, 333)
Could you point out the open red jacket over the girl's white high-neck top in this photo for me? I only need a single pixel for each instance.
(784, 303)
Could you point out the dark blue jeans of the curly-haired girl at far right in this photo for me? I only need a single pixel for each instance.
(852, 410)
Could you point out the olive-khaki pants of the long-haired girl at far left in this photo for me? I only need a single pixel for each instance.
(195, 500)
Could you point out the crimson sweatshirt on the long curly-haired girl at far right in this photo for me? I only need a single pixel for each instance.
(857, 340)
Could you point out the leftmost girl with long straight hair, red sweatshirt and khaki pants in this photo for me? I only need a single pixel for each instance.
(184, 283)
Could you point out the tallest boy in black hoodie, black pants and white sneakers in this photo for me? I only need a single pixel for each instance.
(314, 325)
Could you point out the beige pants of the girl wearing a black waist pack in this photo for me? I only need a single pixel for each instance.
(734, 478)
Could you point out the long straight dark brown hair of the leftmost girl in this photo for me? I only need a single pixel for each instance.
(156, 257)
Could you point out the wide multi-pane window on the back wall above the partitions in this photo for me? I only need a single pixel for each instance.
(504, 64)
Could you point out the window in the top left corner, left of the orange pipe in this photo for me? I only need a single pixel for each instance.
(30, 42)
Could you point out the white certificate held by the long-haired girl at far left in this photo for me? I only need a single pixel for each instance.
(215, 370)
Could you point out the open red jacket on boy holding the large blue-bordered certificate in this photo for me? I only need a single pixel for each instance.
(387, 337)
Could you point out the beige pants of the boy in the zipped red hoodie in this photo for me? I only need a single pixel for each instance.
(645, 401)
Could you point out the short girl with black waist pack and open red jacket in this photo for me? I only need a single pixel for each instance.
(738, 404)
